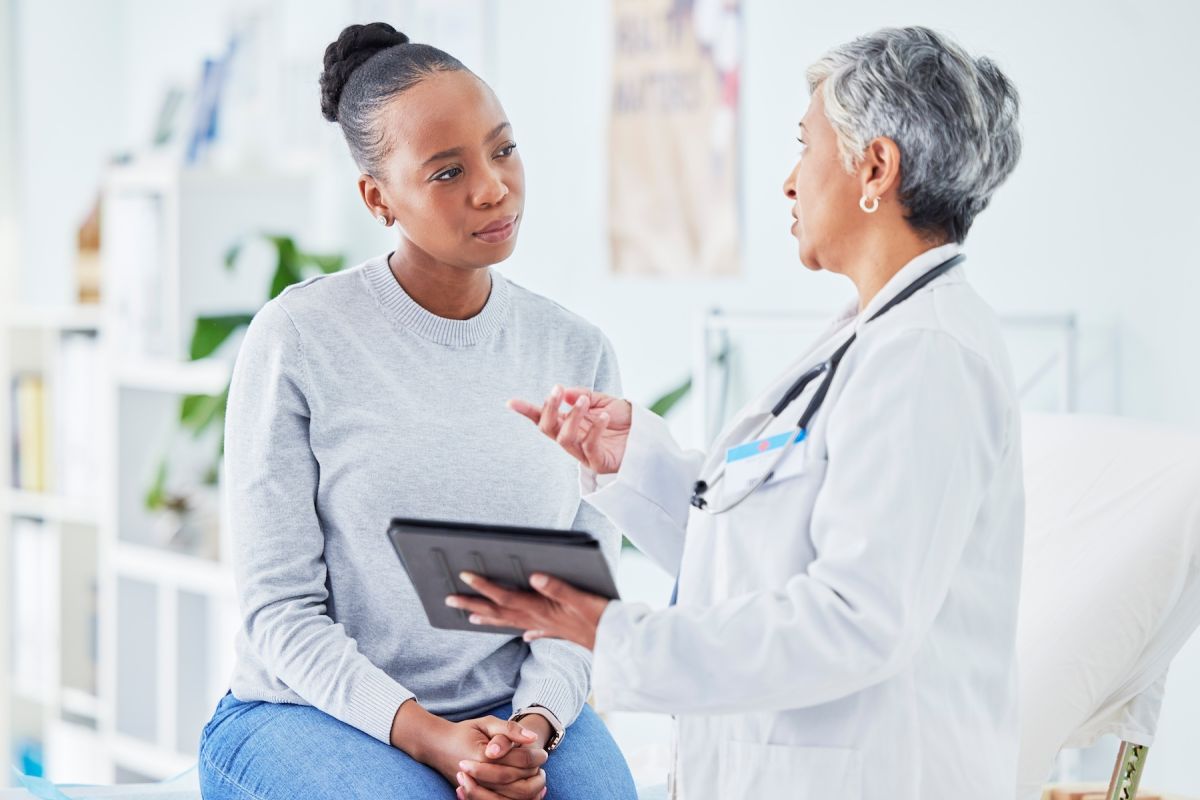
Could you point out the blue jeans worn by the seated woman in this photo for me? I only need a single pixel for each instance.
(277, 751)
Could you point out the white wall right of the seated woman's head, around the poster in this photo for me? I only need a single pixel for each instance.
(1097, 219)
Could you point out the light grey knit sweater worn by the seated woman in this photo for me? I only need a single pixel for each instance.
(352, 405)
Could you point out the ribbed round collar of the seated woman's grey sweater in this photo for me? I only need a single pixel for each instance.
(410, 315)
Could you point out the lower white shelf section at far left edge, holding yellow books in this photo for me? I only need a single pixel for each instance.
(63, 706)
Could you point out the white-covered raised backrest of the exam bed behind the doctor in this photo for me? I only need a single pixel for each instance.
(1111, 588)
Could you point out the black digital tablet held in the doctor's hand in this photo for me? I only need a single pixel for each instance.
(434, 554)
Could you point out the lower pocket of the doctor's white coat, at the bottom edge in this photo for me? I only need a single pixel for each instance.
(754, 771)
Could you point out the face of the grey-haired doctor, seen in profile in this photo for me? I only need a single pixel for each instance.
(824, 195)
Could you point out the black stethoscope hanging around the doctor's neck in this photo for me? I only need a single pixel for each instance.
(829, 369)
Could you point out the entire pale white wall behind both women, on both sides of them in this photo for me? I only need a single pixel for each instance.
(1097, 220)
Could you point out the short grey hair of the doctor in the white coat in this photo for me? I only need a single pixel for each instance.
(953, 118)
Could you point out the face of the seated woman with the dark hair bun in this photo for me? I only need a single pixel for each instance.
(453, 178)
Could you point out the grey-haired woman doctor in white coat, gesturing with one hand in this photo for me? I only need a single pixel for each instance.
(849, 551)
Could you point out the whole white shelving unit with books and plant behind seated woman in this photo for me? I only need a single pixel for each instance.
(140, 646)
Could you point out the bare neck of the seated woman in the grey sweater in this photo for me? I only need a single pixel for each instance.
(445, 291)
